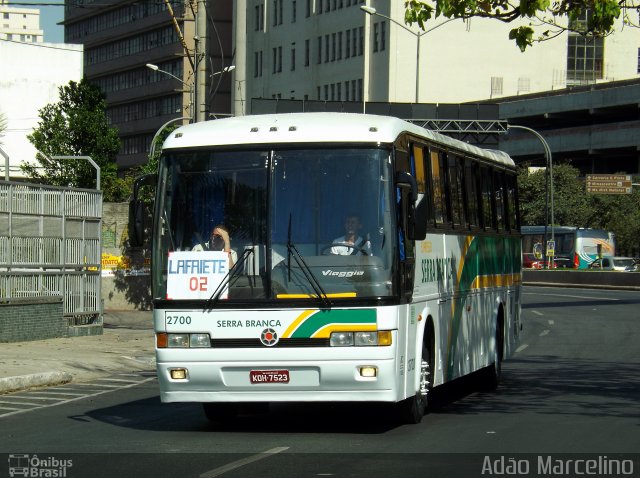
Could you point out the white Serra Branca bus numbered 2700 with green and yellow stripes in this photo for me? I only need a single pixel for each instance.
(430, 291)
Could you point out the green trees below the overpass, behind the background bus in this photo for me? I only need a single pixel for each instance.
(573, 206)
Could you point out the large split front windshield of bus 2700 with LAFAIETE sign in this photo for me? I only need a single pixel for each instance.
(303, 223)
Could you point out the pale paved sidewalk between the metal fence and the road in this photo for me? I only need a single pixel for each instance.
(127, 345)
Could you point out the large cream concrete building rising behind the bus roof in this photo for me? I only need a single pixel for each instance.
(332, 50)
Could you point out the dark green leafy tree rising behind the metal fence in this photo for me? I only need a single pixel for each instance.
(77, 126)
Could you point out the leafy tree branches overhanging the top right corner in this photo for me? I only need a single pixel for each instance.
(547, 17)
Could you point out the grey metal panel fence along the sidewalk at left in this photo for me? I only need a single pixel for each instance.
(50, 246)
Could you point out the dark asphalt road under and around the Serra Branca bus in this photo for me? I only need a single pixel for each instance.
(573, 387)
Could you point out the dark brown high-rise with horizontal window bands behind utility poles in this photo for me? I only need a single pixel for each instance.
(121, 38)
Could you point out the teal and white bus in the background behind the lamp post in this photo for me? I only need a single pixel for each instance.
(575, 247)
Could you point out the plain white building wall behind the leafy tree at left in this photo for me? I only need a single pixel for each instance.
(32, 75)
